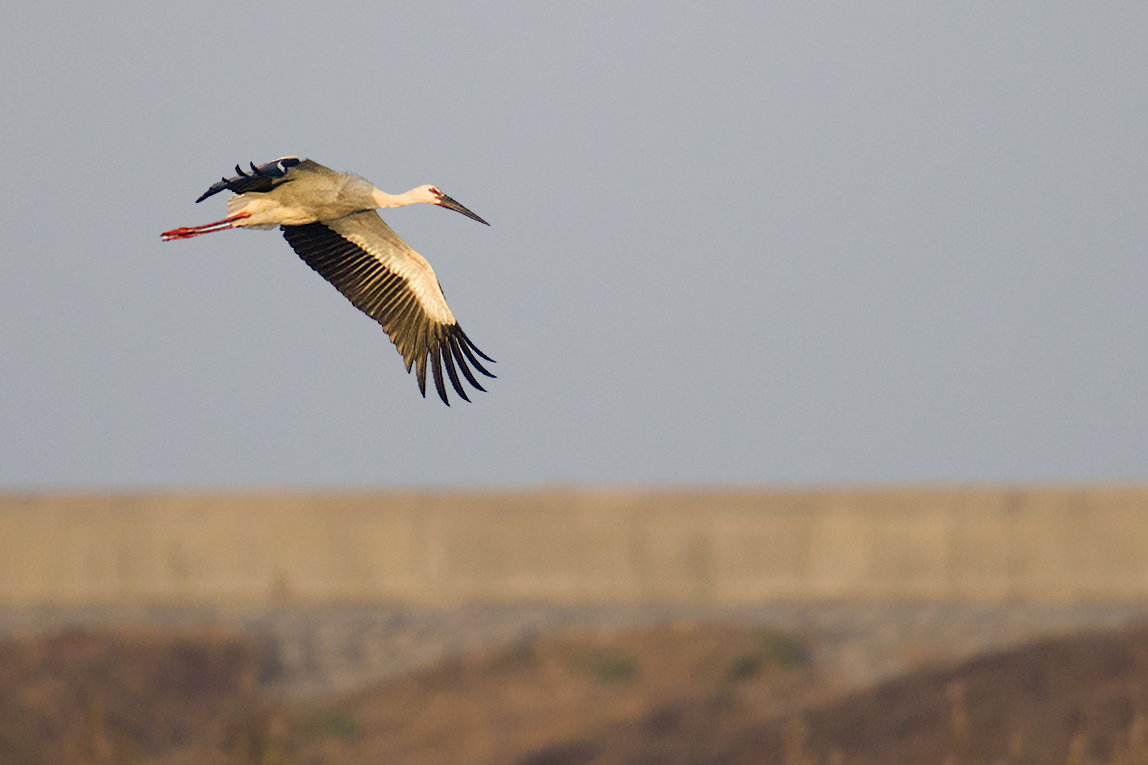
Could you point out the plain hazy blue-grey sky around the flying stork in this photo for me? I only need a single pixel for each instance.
(796, 243)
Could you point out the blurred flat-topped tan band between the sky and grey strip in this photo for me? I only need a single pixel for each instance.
(1052, 545)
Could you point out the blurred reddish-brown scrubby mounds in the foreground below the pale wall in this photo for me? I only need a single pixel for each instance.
(723, 693)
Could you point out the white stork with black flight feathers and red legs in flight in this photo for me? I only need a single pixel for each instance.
(330, 221)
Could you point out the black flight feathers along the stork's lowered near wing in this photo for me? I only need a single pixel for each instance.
(389, 299)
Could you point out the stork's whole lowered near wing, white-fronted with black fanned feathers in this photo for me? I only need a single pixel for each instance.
(395, 287)
